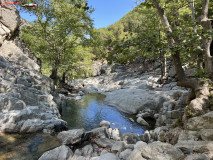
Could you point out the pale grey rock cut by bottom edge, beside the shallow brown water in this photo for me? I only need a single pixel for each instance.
(60, 153)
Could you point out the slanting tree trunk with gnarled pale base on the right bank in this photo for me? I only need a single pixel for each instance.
(200, 90)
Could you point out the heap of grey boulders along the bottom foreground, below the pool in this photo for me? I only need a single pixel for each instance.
(129, 147)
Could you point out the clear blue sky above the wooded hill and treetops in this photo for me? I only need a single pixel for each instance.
(106, 12)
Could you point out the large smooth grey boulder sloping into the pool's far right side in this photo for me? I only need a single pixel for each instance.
(139, 100)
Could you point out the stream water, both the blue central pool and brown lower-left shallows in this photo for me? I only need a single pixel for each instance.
(86, 113)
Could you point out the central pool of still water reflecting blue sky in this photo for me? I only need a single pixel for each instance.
(90, 111)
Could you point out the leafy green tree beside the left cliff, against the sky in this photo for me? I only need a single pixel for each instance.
(60, 28)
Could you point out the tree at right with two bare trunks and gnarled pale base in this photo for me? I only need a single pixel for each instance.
(199, 88)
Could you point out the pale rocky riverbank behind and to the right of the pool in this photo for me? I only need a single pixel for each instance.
(141, 94)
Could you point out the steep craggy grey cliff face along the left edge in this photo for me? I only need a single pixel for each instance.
(26, 101)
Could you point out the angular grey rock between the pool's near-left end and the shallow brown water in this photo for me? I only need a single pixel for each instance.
(70, 137)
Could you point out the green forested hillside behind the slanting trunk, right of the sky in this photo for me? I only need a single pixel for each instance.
(141, 33)
